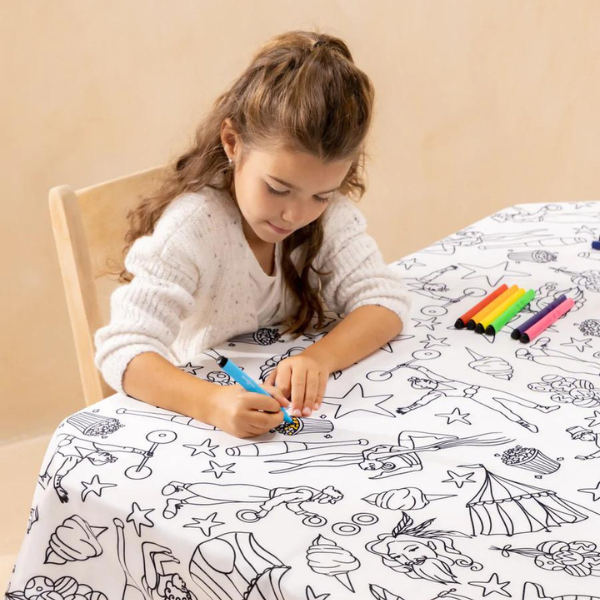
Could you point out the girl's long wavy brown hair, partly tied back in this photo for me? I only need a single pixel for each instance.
(301, 92)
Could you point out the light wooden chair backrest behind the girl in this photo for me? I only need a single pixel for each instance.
(89, 230)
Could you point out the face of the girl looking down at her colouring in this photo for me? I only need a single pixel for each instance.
(279, 192)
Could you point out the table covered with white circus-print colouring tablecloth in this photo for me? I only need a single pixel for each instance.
(446, 465)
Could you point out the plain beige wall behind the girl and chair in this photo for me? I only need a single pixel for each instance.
(480, 105)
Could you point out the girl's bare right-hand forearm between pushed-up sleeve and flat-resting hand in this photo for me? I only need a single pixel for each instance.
(359, 334)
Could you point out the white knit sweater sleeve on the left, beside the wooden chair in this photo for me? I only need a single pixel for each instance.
(146, 313)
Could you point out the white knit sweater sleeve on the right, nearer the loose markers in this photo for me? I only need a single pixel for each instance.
(359, 275)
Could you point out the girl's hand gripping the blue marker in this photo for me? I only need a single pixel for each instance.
(246, 414)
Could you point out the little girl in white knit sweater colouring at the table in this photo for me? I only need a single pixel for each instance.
(253, 227)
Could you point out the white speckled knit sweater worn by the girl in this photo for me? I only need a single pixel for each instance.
(192, 288)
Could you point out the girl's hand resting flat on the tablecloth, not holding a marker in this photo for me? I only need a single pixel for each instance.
(302, 378)
